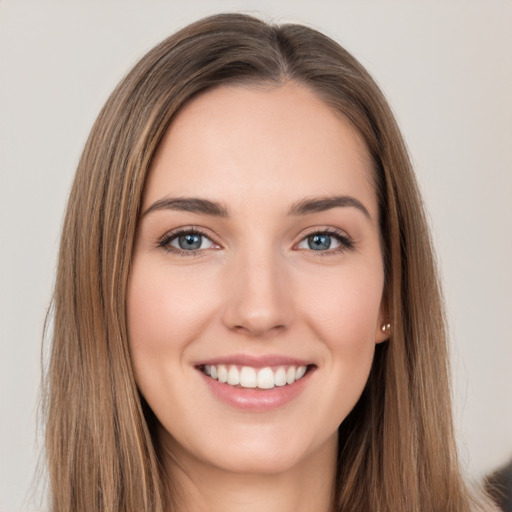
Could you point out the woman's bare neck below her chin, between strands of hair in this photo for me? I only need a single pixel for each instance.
(200, 487)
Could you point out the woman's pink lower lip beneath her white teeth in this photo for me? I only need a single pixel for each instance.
(255, 399)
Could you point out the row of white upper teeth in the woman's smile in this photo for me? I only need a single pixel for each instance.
(249, 377)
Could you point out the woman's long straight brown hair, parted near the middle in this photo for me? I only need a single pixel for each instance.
(396, 448)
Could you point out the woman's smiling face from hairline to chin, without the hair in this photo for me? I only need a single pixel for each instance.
(257, 258)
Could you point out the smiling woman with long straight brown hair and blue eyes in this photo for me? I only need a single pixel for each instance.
(247, 313)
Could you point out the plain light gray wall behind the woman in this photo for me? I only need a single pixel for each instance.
(446, 67)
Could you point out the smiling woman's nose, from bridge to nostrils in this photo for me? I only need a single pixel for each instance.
(258, 300)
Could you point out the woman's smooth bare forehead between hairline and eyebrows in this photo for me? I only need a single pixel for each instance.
(241, 143)
